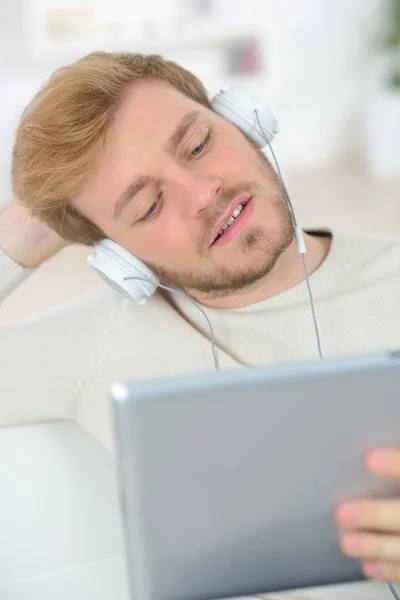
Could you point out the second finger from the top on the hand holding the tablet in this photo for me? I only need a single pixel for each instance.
(381, 515)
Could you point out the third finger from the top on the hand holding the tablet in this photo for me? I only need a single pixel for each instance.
(377, 547)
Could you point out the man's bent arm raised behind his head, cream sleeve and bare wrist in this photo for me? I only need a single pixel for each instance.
(43, 359)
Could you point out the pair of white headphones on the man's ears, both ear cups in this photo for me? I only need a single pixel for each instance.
(125, 272)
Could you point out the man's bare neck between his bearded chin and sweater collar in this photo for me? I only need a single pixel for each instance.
(288, 272)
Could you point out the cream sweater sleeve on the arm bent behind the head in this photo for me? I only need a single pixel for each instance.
(46, 359)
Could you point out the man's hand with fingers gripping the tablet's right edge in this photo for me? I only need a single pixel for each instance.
(371, 528)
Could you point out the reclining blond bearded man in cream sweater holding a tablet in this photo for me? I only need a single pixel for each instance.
(127, 147)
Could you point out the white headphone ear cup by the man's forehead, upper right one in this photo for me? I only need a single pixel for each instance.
(252, 118)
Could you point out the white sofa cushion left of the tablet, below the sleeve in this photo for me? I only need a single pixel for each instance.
(59, 516)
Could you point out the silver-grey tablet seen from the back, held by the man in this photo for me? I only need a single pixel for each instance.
(229, 481)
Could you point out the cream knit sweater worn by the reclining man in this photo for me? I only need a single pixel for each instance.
(61, 363)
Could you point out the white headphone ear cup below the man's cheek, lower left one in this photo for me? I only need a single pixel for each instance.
(114, 264)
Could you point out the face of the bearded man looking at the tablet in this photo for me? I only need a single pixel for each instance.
(170, 175)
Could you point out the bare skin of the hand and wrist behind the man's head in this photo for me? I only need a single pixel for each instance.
(25, 239)
